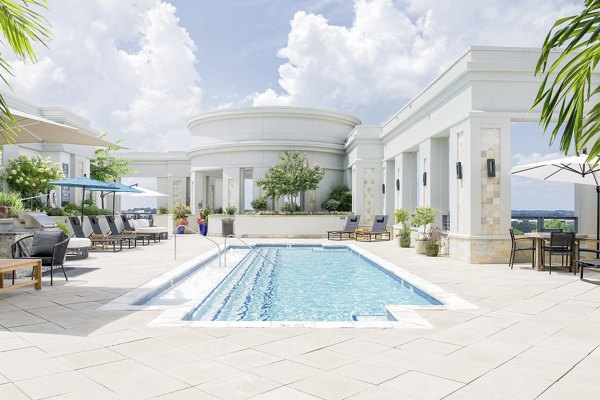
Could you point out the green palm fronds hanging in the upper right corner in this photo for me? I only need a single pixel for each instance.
(565, 97)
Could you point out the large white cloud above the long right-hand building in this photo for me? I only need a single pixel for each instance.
(394, 48)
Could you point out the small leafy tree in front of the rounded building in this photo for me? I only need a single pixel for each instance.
(291, 177)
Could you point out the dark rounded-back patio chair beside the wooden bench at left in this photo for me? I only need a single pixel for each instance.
(49, 246)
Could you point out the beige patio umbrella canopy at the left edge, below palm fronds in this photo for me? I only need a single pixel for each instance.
(35, 129)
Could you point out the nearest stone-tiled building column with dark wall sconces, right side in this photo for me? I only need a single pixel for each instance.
(480, 203)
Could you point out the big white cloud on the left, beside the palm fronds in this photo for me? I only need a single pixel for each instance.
(127, 66)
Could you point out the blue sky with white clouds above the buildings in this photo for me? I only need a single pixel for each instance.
(139, 69)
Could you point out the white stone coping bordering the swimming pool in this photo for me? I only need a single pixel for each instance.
(406, 316)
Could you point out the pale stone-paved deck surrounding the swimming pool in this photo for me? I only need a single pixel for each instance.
(533, 335)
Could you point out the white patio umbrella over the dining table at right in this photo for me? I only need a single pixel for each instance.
(574, 169)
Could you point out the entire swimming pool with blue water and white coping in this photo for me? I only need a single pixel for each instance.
(189, 292)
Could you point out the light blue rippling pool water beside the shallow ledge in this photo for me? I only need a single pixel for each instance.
(306, 283)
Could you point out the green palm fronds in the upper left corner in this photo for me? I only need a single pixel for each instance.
(20, 27)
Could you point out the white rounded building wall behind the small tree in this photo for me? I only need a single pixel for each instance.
(232, 149)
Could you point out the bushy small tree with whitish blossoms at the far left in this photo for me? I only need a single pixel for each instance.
(30, 176)
